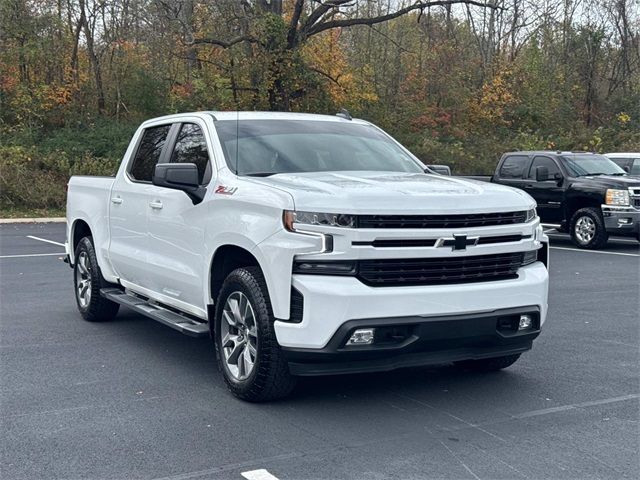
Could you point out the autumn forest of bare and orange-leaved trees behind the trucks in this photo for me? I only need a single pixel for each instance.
(457, 82)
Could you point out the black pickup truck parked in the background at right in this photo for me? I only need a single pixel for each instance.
(586, 193)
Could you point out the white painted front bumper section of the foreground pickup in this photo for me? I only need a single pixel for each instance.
(329, 302)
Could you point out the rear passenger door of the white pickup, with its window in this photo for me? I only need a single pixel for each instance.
(128, 209)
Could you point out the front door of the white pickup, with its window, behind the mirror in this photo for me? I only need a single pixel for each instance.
(176, 253)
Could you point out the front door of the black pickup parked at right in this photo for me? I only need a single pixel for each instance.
(549, 194)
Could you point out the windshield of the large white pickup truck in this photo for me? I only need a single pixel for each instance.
(267, 147)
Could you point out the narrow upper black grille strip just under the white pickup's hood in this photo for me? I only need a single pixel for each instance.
(441, 221)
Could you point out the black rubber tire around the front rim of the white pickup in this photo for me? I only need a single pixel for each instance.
(269, 377)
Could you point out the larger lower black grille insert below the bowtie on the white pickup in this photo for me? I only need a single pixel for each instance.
(439, 271)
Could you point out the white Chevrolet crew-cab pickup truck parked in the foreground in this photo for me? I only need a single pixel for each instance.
(307, 245)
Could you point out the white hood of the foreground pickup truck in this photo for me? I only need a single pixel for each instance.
(395, 193)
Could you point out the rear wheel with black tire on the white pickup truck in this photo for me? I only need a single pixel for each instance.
(93, 308)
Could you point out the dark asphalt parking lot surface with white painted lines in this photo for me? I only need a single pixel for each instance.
(134, 399)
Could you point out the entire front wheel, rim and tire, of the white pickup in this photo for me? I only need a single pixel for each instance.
(248, 354)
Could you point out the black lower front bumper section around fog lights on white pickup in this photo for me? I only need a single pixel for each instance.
(418, 341)
